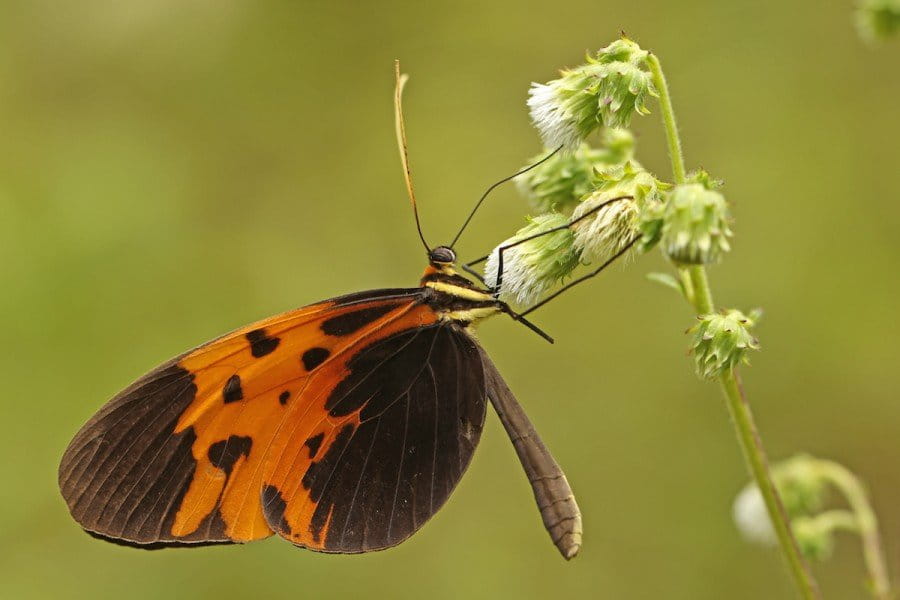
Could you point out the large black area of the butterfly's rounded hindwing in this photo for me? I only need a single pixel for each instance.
(421, 398)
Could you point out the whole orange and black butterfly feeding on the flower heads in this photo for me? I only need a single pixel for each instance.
(342, 426)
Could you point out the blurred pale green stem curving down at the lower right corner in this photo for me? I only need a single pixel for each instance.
(867, 524)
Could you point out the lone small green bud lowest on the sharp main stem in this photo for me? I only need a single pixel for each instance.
(721, 341)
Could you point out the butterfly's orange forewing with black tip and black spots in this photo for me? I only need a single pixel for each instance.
(179, 457)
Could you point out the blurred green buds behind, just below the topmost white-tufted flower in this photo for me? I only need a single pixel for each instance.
(561, 181)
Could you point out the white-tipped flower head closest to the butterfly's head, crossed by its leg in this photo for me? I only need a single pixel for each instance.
(535, 266)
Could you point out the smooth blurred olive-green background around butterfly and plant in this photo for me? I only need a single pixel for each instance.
(170, 170)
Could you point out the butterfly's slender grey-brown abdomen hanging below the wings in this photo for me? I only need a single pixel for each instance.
(554, 497)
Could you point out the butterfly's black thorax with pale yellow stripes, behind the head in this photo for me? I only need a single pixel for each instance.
(456, 298)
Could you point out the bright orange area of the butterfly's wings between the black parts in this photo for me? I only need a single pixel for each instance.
(261, 393)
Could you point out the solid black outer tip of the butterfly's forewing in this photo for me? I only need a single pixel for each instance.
(125, 470)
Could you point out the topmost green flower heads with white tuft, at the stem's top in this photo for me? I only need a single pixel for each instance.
(606, 91)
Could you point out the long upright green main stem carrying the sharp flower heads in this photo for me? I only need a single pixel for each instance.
(742, 417)
